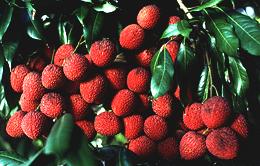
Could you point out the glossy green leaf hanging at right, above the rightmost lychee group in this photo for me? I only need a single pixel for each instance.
(239, 77)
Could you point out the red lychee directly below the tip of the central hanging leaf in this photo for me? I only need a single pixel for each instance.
(163, 105)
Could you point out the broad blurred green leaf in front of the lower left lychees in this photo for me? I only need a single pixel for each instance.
(61, 131)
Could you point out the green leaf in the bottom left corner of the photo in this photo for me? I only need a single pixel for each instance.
(10, 159)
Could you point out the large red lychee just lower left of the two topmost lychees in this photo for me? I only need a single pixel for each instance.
(102, 52)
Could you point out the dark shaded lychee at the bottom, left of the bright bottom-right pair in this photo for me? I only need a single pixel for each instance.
(168, 149)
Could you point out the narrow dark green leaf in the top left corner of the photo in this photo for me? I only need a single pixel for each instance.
(6, 19)
